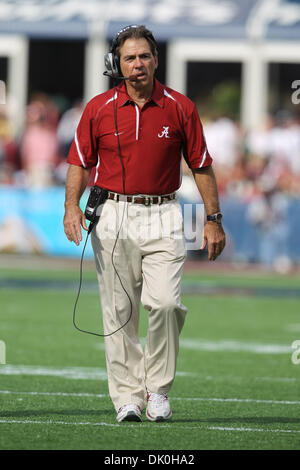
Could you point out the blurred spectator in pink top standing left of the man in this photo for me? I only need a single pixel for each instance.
(39, 145)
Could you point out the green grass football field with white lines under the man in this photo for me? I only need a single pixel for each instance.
(236, 386)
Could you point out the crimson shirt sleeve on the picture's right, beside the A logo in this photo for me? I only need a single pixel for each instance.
(195, 150)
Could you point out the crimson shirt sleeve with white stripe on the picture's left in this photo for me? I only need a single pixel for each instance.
(83, 151)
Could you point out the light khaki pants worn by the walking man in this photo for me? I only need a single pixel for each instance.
(147, 262)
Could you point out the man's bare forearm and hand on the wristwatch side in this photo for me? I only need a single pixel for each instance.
(213, 234)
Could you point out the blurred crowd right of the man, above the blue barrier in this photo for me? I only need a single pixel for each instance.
(262, 160)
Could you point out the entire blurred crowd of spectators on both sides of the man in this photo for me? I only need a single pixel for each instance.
(246, 163)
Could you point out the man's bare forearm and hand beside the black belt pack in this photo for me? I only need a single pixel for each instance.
(77, 180)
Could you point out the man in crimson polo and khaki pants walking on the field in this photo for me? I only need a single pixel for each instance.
(135, 135)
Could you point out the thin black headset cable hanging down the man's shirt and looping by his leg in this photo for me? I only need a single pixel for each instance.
(91, 226)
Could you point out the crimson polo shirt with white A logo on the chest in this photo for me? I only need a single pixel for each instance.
(152, 140)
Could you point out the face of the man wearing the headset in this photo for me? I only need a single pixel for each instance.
(137, 59)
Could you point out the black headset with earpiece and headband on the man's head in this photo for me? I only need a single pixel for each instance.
(112, 59)
